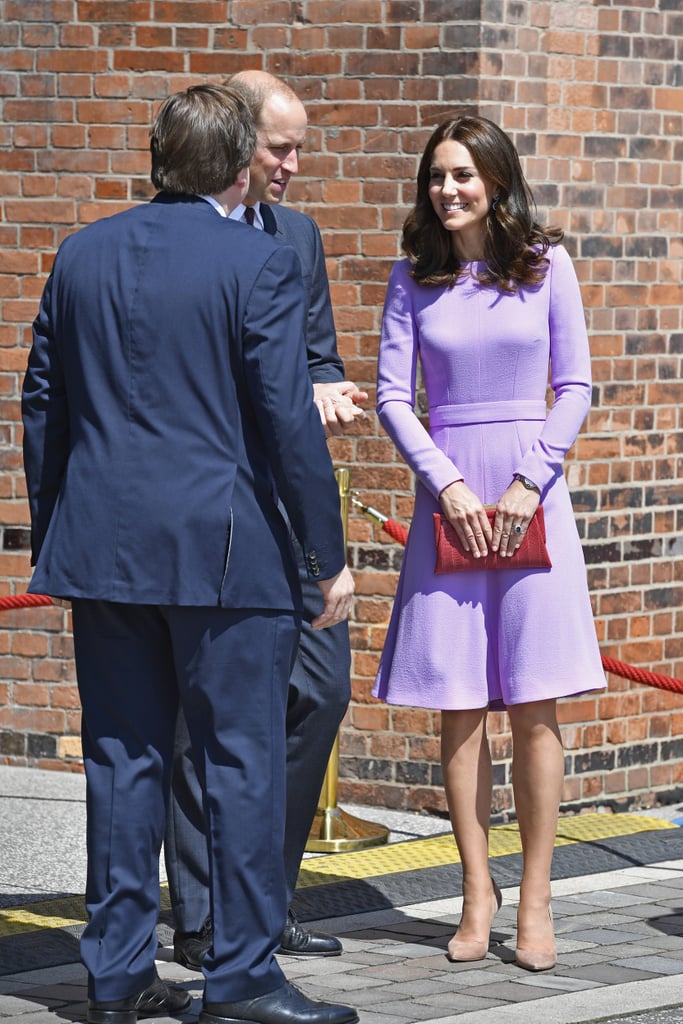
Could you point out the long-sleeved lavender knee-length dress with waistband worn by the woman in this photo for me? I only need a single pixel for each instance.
(468, 641)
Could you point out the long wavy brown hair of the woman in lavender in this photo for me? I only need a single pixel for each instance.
(516, 245)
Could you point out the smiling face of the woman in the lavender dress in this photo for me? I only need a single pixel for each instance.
(461, 197)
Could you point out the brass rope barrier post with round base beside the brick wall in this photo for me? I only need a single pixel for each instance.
(334, 831)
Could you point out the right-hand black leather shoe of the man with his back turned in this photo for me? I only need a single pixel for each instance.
(285, 1006)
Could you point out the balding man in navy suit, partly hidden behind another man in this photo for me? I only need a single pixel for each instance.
(320, 688)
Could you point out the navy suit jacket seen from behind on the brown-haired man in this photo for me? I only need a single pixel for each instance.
(165, 393)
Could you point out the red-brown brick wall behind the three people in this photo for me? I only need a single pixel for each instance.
(590, 93)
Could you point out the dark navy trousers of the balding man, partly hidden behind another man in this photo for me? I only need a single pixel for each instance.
(318, 699)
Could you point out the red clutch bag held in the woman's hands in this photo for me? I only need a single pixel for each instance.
(452, 558)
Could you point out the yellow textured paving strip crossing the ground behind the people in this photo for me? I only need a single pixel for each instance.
(392, 860)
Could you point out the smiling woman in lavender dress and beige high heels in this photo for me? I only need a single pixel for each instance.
(488, 298)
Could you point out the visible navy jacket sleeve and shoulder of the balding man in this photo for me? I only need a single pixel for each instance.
(302, 232)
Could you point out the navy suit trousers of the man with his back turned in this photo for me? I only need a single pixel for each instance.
(231, 671)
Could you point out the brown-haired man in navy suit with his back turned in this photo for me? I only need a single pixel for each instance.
(165, 405)
